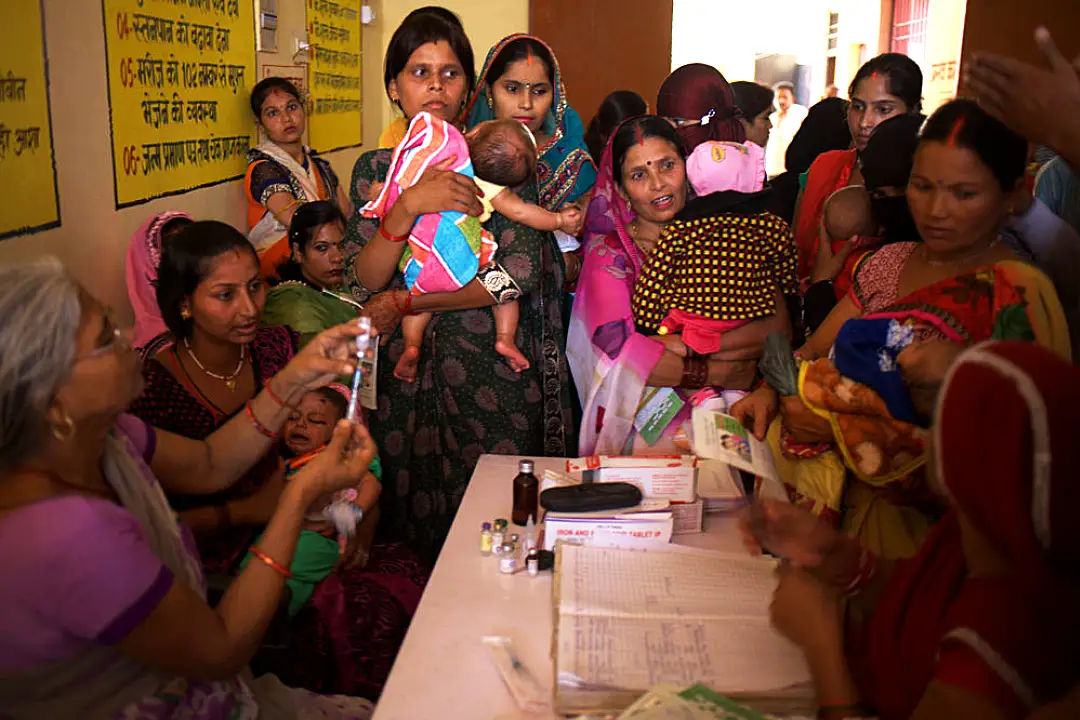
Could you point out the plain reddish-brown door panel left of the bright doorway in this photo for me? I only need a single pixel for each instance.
(604, 46)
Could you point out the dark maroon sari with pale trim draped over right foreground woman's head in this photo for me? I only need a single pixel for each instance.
(1006, 456)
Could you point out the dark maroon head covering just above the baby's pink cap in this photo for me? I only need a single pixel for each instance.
(699, 92)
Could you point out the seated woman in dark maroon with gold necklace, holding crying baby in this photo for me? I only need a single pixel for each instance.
(212, 296)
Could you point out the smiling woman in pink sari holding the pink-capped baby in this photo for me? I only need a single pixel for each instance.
(644, 173)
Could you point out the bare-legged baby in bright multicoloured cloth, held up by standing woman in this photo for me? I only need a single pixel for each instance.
(447, 251)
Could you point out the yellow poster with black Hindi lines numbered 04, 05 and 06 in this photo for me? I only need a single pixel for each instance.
(181, 74)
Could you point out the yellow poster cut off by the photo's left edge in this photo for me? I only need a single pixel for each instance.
(28, 172)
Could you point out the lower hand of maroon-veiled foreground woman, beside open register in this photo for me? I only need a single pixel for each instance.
(806, 612)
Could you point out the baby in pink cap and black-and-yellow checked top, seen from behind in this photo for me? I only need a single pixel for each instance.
(720, 264)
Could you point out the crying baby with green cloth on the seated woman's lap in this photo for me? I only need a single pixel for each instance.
(320, 547)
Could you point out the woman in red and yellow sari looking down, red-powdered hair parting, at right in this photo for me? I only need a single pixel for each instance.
(960, 286)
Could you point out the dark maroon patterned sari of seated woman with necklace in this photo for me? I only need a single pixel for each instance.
(346, 639)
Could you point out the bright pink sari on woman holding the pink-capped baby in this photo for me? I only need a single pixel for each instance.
(610, 361)
